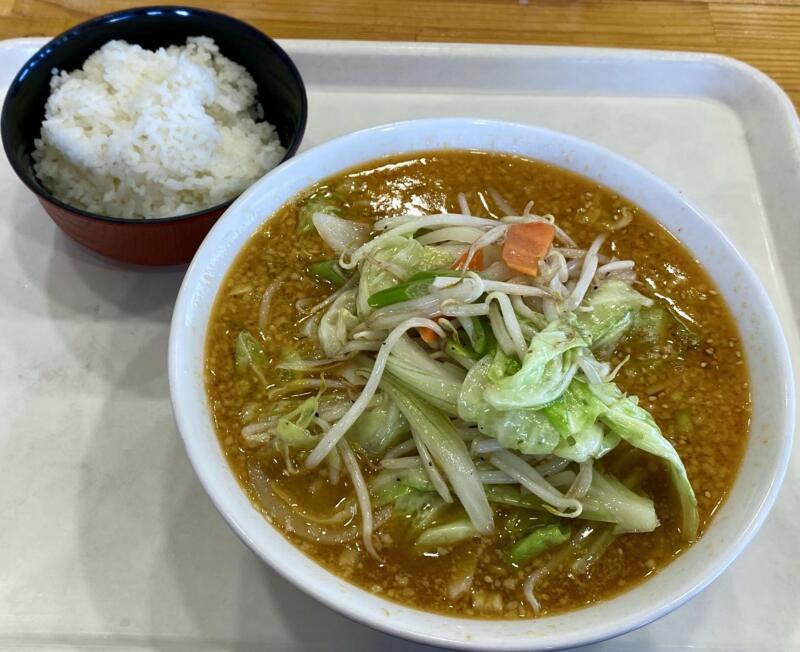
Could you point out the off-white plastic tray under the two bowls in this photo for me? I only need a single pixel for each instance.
(107, 540)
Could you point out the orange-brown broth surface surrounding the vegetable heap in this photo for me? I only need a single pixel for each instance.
(699, 398)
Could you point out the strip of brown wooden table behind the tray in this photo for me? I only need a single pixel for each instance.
(764, 33)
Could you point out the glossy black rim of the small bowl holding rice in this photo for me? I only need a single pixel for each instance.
(42, 54)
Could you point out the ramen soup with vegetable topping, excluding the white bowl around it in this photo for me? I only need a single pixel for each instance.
(477, 384)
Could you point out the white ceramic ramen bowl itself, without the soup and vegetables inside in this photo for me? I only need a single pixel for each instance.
(736, 522)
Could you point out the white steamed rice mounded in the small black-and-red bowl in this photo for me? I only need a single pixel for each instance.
(143, 134)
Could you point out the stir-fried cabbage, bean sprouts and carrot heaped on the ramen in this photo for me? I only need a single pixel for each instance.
(470, 360)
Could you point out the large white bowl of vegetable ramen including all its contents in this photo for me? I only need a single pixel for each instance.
(481, 385)
